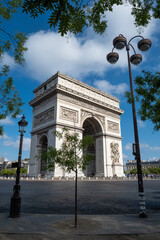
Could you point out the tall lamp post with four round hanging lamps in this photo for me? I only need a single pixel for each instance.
(144, 44)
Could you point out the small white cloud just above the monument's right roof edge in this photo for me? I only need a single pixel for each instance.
(107, 87)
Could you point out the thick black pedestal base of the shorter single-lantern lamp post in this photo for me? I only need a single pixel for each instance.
(15, 207)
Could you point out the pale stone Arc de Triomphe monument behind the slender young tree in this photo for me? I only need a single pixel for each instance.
(62, 101)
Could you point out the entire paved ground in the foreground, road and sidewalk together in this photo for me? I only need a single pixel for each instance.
(108, 210)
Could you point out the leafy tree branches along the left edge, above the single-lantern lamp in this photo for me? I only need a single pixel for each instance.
(10, 102)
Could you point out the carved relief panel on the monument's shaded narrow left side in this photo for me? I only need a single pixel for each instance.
(41, 118)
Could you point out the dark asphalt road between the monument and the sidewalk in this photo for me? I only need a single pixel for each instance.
(94, 197)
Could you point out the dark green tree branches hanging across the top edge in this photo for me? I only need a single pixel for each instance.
(74, 15)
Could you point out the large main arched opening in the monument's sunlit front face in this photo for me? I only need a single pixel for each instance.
(92, 127)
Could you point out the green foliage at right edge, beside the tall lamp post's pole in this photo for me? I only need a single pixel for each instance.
(148, 95)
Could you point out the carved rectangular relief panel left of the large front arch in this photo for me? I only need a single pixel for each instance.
(68, 114)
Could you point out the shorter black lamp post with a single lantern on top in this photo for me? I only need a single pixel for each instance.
(15, 205)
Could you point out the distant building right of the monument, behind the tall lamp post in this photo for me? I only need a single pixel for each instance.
(131, 164)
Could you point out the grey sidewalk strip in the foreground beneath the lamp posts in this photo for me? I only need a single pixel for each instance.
(90, 227)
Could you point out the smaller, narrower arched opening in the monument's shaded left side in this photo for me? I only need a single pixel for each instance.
(44, 145)
